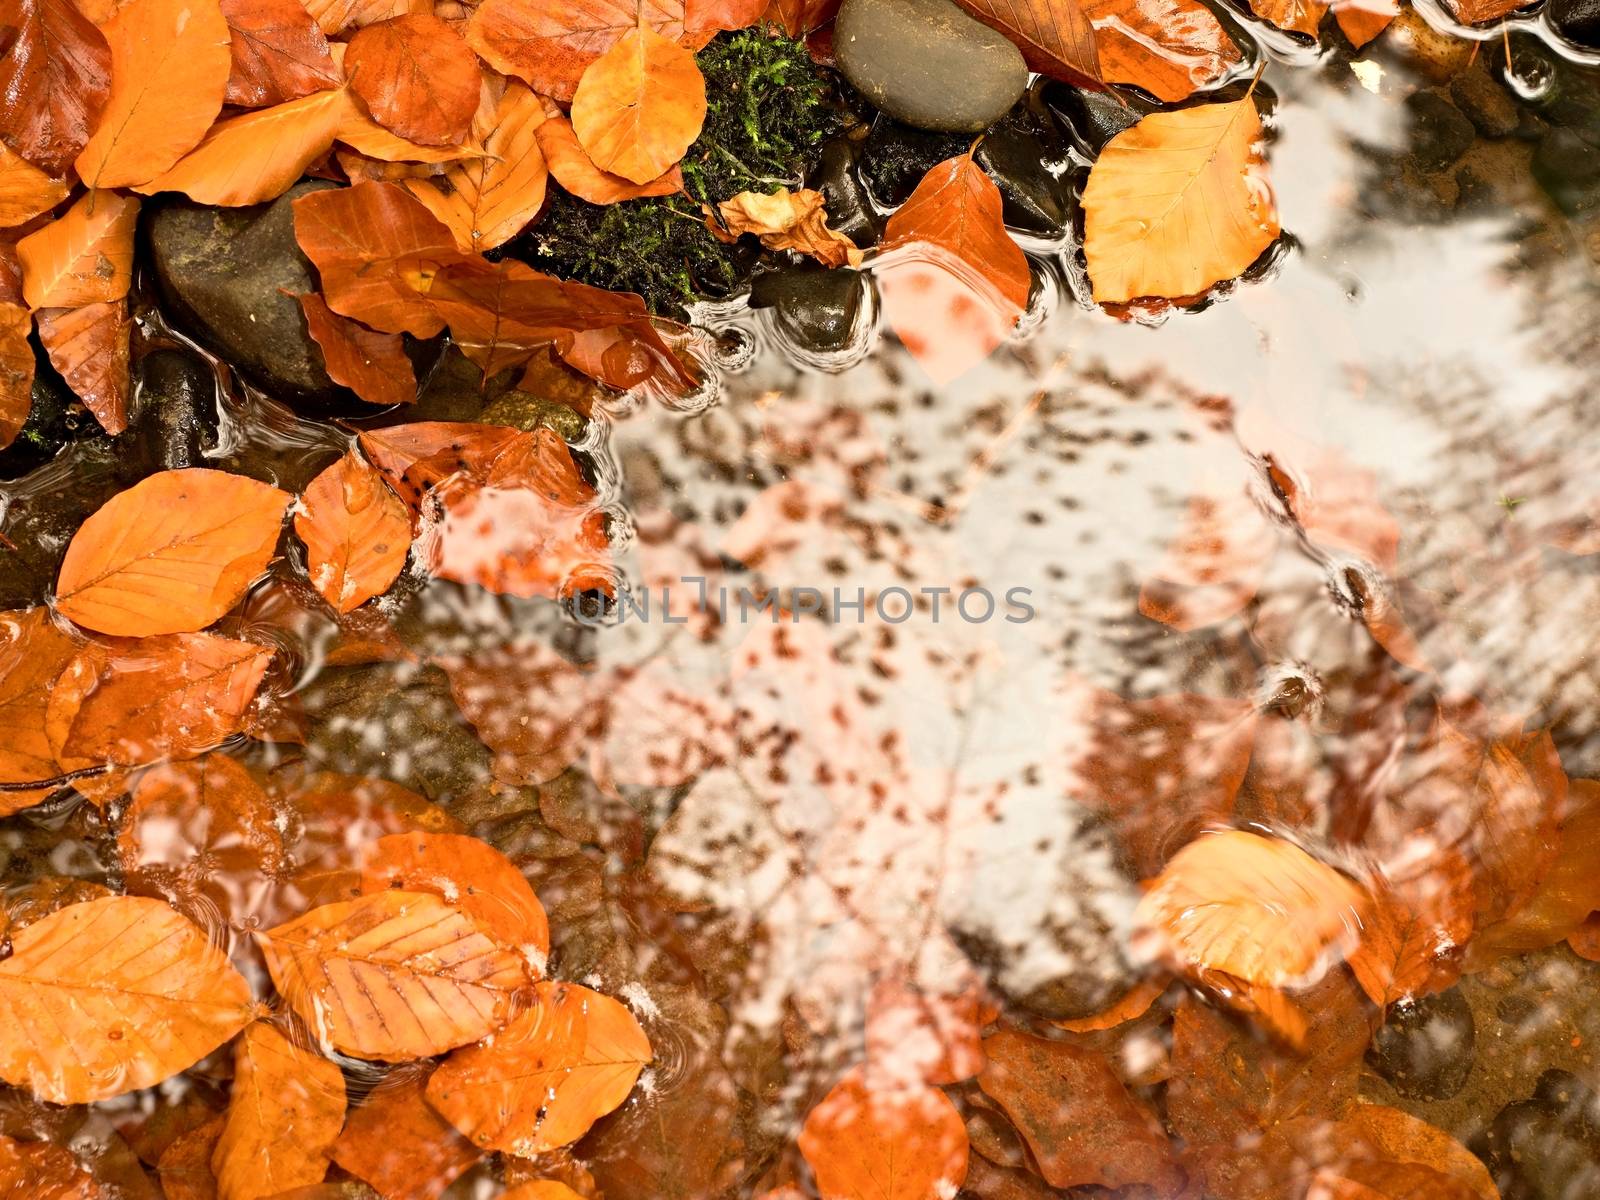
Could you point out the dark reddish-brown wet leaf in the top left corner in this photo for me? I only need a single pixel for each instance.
(55, 78)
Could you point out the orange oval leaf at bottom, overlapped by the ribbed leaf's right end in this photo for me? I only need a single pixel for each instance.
(570, 1058)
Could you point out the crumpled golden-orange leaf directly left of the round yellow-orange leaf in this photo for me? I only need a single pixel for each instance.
(487, 201)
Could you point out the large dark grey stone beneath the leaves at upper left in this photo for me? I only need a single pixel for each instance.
(222, 273)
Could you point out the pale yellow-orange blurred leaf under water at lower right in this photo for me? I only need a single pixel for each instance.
(1255, 908)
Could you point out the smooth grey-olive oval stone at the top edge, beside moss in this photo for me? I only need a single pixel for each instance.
(927, 63)
